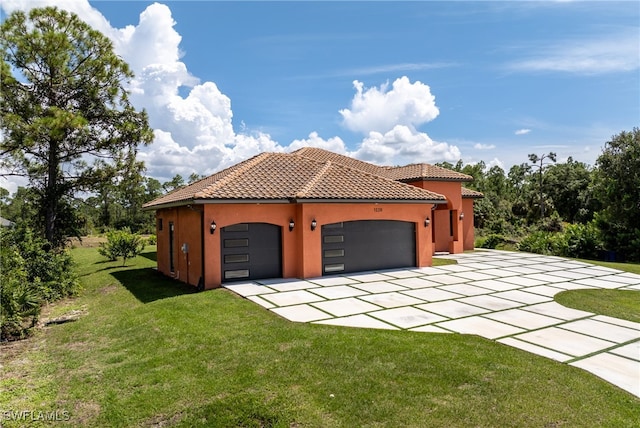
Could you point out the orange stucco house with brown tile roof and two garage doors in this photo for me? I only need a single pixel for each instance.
(310, 213)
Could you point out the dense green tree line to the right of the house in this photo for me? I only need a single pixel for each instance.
(544, 197)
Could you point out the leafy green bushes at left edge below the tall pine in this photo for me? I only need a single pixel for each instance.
(31, 275)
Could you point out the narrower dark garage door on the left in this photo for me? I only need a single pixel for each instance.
(251, 251)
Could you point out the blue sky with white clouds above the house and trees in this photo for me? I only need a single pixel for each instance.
(387, 82)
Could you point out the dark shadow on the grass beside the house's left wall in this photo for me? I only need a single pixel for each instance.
(148, 285)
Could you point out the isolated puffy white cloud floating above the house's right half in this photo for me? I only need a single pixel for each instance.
(380, 109)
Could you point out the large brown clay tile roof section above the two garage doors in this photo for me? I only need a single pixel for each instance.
(281, 176)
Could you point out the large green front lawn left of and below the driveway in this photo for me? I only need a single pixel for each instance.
(149, 352)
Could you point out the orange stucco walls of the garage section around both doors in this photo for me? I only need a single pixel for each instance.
(302, 247)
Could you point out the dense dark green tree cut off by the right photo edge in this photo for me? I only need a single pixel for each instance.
(618, 191)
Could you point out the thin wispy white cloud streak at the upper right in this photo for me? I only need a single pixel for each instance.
(603, 54)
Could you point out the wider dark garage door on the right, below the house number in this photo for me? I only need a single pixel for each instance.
(363, 245)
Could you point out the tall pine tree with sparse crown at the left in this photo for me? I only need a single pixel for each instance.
(64, 105)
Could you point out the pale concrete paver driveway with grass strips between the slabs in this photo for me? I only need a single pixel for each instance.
(502, 296)
